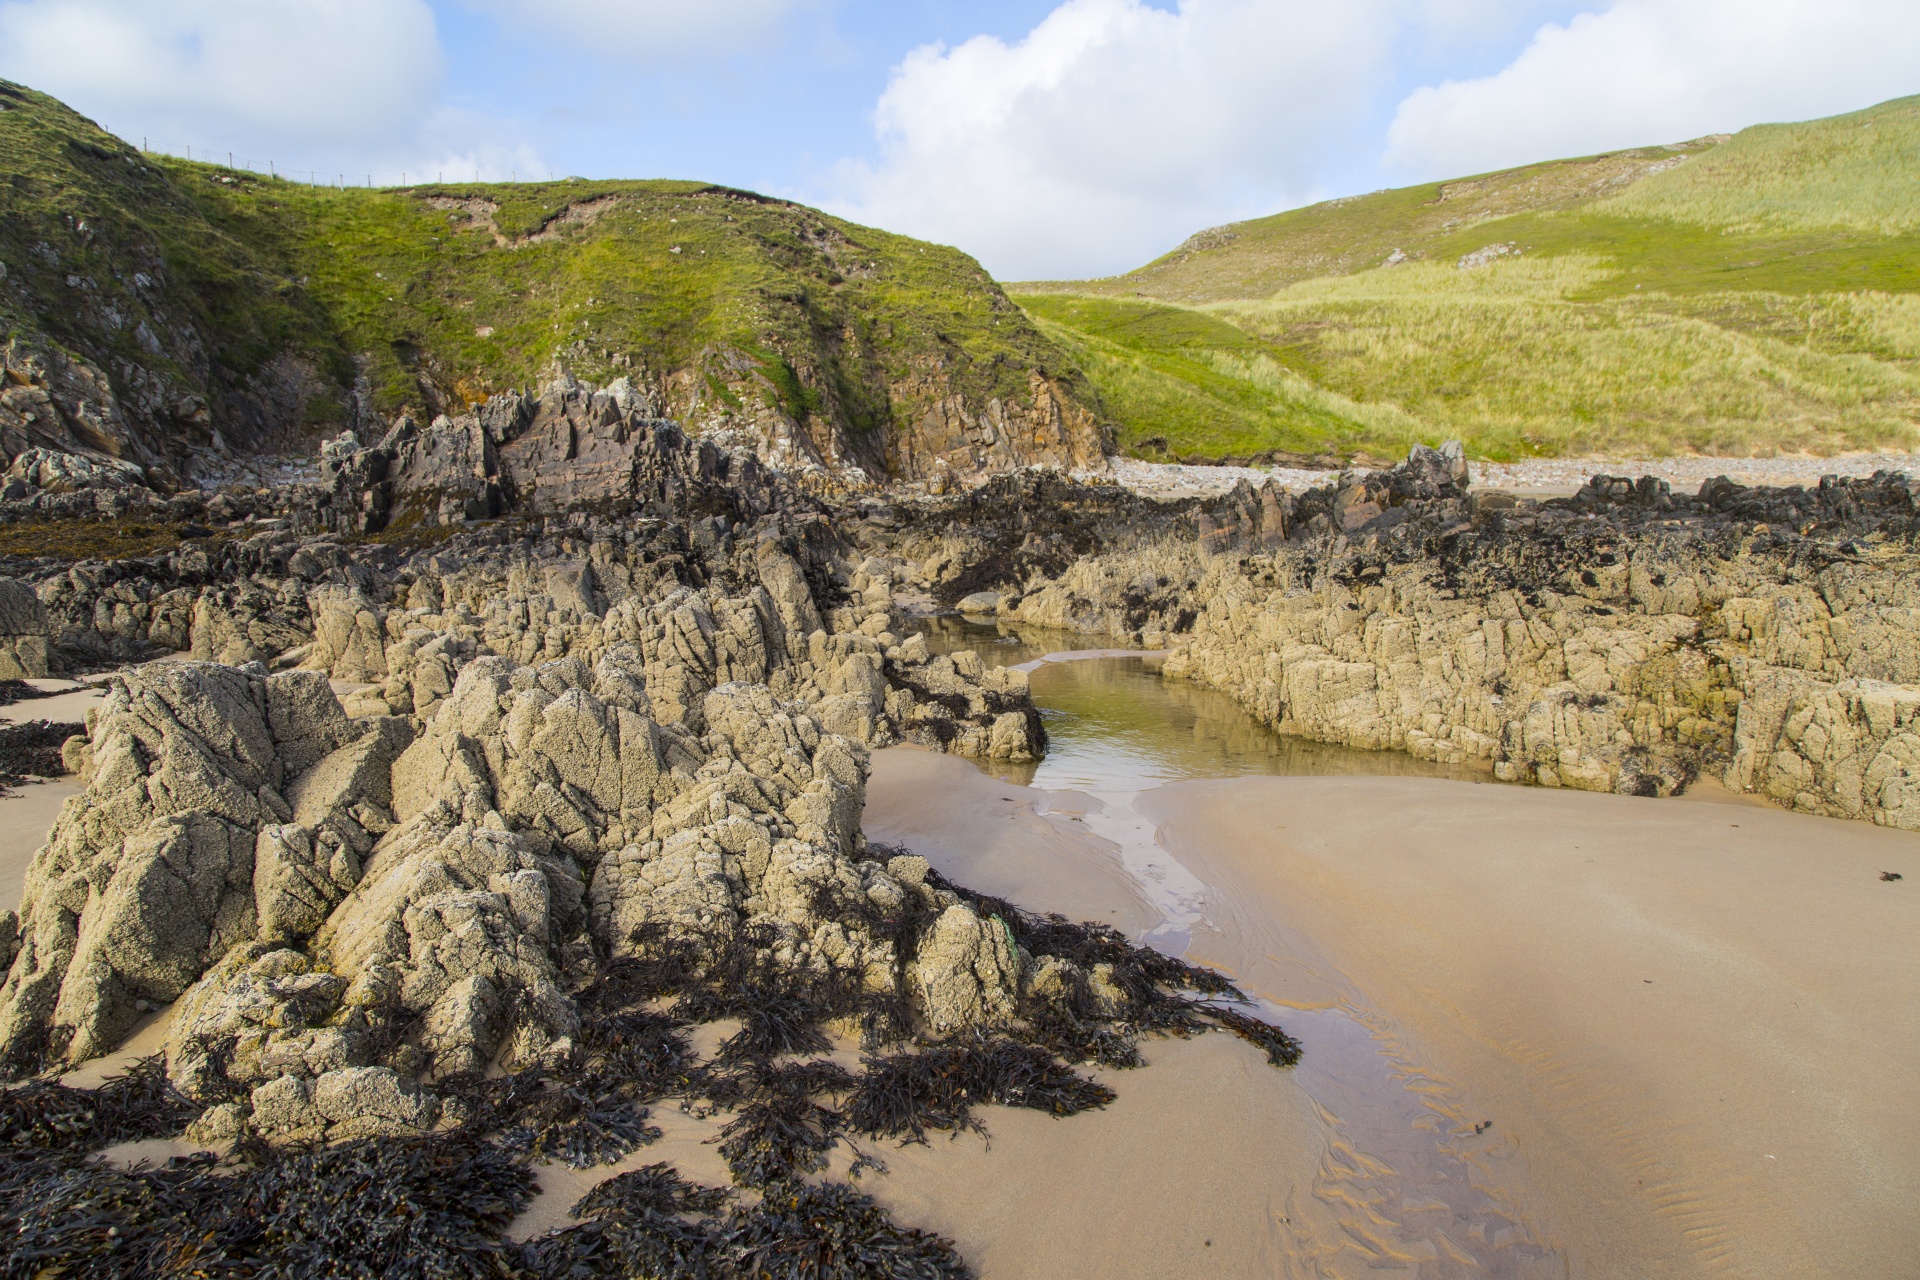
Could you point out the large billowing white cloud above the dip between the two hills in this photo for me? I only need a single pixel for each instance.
(1115, 130)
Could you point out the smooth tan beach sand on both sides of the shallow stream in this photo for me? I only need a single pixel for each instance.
(1691, 1026)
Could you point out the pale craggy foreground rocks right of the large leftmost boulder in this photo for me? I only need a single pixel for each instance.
(544, 820)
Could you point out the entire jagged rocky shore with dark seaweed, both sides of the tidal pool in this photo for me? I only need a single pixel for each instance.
(523, 744)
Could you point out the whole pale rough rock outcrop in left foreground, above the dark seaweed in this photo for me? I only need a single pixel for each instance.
(343, 907)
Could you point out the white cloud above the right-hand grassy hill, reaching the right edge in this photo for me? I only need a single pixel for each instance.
(1662, 72)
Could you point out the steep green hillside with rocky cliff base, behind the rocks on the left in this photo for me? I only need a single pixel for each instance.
(174, 314)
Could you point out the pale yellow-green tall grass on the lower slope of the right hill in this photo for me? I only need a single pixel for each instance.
(1504, 360)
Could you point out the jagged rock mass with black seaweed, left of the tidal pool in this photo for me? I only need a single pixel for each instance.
(596, 782)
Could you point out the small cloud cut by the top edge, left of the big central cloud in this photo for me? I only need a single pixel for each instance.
(644, 30)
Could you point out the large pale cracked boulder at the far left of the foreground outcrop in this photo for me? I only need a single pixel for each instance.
(149, 876)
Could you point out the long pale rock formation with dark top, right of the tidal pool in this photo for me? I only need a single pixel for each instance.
(1621, 640)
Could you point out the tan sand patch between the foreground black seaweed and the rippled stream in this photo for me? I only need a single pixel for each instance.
(1203, 1168)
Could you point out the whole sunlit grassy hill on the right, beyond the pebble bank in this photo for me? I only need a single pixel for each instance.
(1740, 295)
